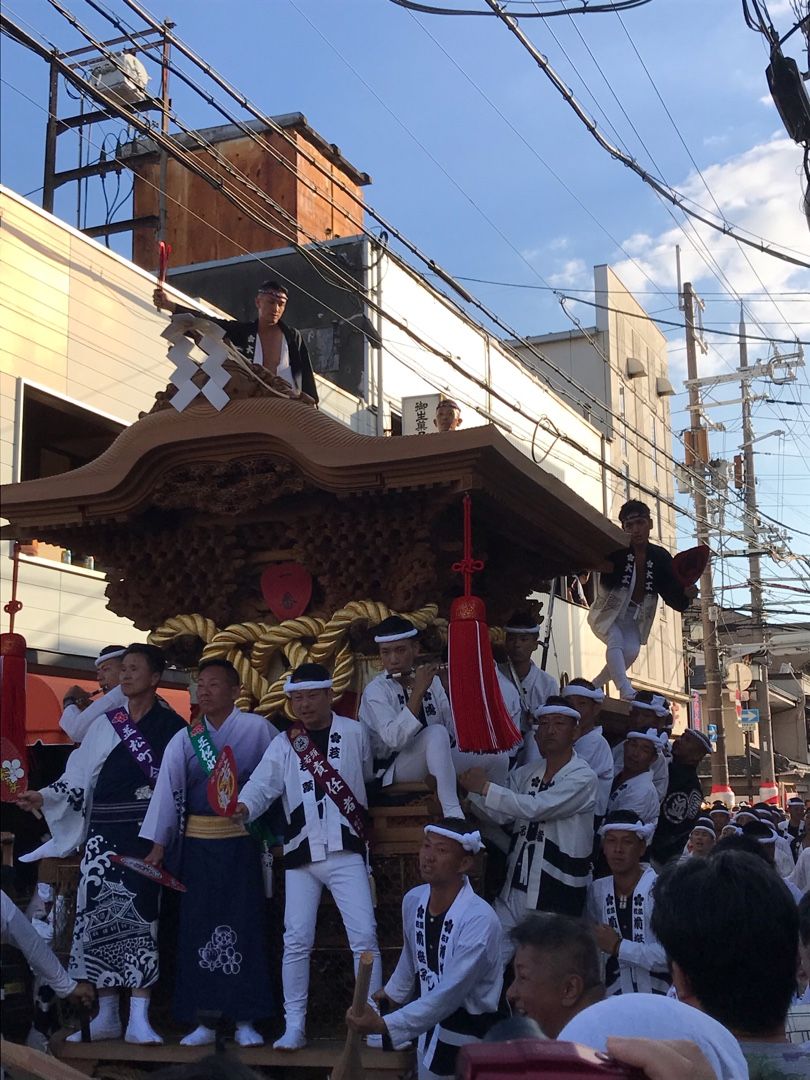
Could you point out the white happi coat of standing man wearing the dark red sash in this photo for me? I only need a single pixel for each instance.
(281, 773)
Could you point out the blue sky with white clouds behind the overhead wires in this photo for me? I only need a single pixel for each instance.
(460, 131)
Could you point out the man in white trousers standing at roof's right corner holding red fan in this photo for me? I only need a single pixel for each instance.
(625, 607)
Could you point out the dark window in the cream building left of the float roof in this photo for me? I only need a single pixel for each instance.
(60, 436)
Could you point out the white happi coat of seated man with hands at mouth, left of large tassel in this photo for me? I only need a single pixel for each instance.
(385, 713)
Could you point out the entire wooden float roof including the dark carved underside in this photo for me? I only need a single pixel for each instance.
(184, 511)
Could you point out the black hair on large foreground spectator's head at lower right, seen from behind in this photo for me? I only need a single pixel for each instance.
(705, 904)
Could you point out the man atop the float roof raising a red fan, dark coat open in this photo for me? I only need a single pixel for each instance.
(267, 342)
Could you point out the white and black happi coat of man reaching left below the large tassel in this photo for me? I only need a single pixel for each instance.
(552, 839)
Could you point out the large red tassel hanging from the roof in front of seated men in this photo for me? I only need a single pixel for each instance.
(482, 721)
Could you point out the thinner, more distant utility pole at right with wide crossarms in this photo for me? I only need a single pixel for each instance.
(767, 765)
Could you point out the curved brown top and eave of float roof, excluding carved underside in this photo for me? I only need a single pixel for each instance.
(168, 452)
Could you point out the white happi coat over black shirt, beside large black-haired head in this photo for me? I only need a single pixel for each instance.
(643, 966)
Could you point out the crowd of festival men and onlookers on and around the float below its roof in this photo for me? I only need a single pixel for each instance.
(609, 875)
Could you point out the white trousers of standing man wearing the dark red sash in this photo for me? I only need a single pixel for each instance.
(345, 875)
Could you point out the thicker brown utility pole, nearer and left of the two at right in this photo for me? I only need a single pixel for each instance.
(698, 444)
